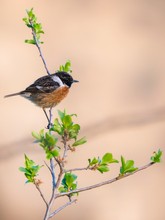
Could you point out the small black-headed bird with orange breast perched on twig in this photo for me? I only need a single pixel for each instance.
(48, 91)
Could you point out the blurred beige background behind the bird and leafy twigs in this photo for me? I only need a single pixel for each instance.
(117, 49)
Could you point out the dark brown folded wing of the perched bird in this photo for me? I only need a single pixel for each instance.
(44, 84)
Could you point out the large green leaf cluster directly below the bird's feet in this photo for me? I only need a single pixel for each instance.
(63, 126)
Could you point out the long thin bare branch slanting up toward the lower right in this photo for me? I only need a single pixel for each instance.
(105, 182)
